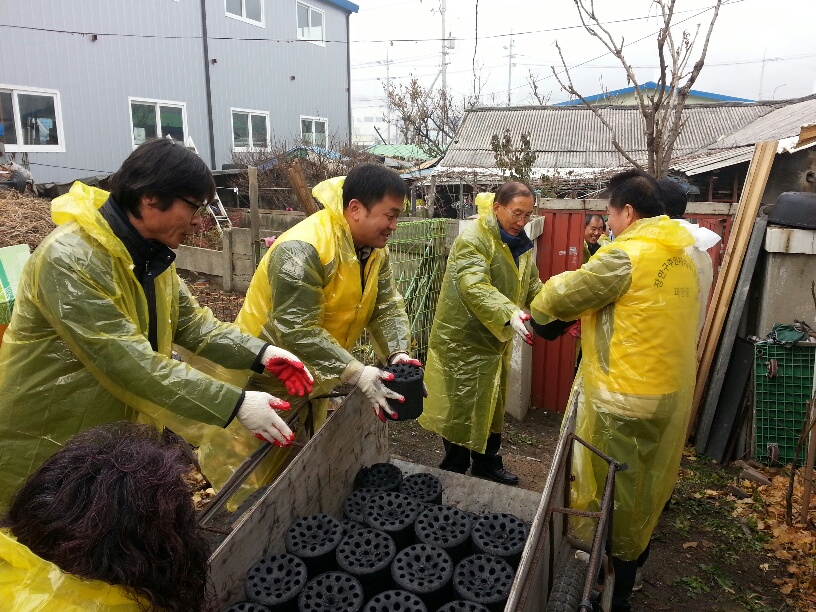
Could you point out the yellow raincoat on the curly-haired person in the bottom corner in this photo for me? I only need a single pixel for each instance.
(29, 583)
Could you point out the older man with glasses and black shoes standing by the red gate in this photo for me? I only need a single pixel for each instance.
(490, 278)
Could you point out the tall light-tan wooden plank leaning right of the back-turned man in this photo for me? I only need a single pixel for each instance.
(755, 182)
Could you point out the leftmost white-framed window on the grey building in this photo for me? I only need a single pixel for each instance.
(30, 119)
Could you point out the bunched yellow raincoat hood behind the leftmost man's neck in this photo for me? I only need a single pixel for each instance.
(81, 205)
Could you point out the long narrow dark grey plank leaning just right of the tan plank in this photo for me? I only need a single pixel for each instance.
(729, 334)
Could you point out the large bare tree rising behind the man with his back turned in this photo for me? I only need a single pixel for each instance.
(662, 110)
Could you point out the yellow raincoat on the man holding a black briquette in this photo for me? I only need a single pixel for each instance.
(307, 296)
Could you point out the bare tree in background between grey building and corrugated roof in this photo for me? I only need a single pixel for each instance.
(425, 118)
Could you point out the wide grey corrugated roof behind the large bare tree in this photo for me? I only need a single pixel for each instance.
(573, 137)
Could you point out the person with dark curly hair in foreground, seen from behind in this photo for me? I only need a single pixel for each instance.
(107, 524)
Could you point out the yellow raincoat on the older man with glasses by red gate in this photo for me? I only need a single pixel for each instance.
(469, 347)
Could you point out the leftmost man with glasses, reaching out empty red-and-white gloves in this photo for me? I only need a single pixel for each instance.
(98, 311)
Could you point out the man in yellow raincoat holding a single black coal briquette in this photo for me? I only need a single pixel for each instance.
(328, 278)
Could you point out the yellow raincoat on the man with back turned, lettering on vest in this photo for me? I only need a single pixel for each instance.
(637, 299)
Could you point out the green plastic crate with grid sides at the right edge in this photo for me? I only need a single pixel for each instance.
(781, 401)
